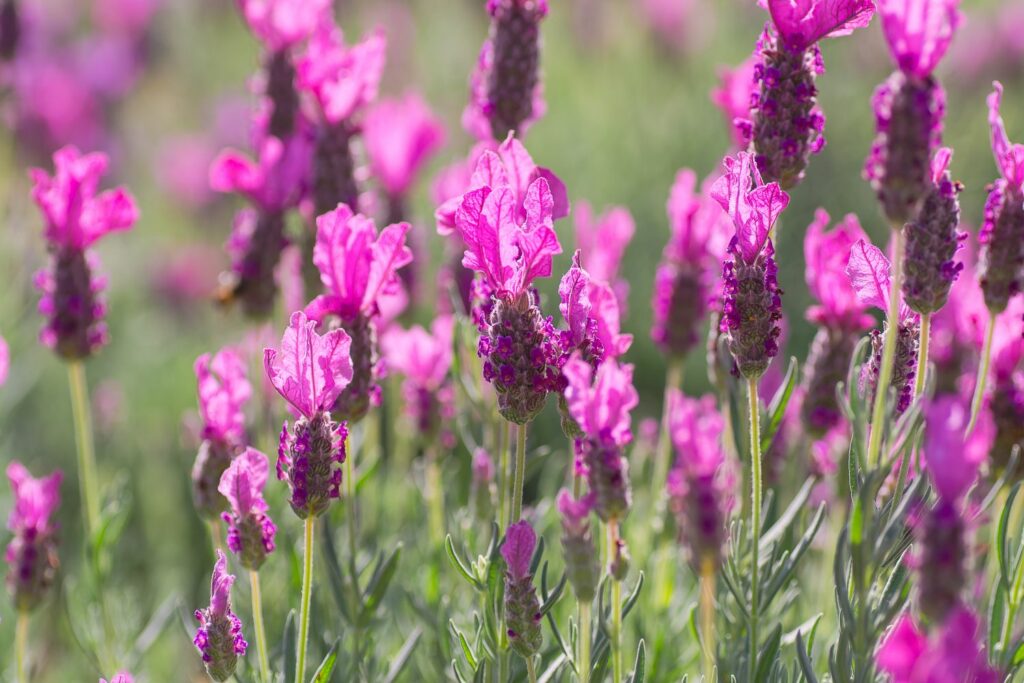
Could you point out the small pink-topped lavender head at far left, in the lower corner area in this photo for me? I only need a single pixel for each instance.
(32, 554)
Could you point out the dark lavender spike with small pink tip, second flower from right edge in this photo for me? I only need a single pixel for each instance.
(932, 242)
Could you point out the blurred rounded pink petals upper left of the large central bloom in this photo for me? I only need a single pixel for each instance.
(401, 136)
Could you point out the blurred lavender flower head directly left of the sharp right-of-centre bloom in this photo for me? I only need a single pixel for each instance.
(690, 267)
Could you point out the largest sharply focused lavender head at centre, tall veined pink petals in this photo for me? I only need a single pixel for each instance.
(510, 246)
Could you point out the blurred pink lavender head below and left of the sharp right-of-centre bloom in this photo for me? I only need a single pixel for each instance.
(699, 485)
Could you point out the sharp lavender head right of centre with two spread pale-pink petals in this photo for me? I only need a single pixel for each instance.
(753, 304)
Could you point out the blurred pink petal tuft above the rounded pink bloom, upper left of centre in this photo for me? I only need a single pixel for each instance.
(343, 79)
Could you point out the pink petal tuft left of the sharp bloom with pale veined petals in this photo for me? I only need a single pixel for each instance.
(224, 392)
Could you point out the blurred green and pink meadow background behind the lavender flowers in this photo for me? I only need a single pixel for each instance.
(627, 84)
